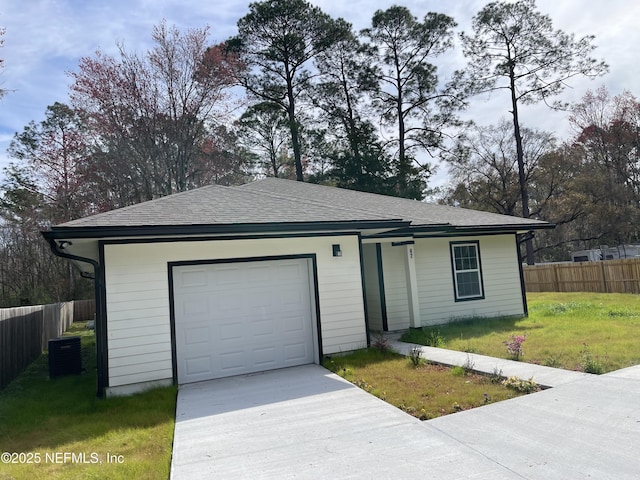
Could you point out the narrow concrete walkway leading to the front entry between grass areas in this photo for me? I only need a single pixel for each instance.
(546, 377)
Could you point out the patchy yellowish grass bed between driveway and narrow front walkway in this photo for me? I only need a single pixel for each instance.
(426, 391)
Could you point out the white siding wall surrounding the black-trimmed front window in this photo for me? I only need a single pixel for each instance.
(500, 275)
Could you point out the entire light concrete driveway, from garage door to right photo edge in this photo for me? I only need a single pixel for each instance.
(305, 422)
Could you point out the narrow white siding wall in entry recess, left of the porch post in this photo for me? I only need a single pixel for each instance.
(395, 287)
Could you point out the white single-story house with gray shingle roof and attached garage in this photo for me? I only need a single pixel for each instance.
(222, 281)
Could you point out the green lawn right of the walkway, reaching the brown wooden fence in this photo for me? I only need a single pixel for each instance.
(563, 330)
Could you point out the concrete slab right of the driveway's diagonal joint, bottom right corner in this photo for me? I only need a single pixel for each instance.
(589, 428)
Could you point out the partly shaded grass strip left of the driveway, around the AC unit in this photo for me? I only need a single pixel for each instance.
(41, 417)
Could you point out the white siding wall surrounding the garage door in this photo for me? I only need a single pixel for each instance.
(139, 332)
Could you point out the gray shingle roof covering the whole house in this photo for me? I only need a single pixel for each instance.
(284, 201)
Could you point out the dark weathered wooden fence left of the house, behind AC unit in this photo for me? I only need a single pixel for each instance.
(25, 332)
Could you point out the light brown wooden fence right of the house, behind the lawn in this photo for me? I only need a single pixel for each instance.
(609, 276)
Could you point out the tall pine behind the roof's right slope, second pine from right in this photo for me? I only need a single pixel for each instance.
(407, 94)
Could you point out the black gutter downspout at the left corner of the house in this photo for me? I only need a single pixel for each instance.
(100, 326)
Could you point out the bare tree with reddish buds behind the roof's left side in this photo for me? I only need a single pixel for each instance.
(154, 114)
